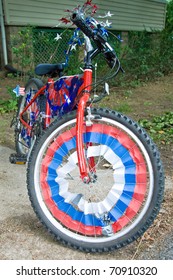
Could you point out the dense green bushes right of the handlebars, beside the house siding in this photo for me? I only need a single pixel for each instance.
(150, 54)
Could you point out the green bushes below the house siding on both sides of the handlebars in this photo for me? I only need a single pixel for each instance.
(148, 54)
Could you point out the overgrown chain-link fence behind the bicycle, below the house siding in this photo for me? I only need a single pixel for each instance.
(31, 46)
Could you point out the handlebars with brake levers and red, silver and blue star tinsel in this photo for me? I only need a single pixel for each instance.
(82, 17)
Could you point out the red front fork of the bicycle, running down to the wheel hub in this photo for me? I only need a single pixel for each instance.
(83, 166)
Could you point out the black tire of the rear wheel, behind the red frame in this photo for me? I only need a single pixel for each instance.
(33, 85)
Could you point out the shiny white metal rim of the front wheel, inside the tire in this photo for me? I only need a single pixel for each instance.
(68, 232)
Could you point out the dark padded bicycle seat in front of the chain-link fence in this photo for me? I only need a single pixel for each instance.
(49, 69)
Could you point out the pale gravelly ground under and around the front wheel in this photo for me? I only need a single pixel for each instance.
(23, 237)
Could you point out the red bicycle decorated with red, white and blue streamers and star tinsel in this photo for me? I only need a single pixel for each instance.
(95, 178)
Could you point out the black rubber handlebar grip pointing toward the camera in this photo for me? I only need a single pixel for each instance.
(79, 22)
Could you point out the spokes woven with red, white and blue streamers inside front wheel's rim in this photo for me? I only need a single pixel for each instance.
(108, 194)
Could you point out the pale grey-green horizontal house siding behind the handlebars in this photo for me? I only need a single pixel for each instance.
(128, 14)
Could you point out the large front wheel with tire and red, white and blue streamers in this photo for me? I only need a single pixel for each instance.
(124, 195)
